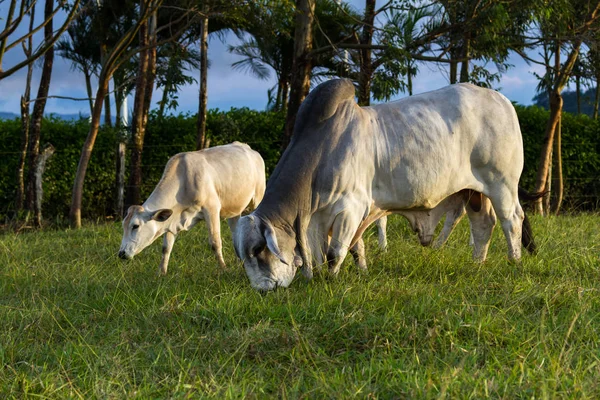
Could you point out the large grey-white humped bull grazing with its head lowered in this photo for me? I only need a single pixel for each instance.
(347, 166)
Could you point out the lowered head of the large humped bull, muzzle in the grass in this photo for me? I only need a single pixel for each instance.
(268, 253)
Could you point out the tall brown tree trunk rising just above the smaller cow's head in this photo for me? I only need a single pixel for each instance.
(135, 175)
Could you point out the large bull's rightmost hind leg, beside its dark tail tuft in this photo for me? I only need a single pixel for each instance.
(509, 211)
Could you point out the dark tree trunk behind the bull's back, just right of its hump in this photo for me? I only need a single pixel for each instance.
(366, 63)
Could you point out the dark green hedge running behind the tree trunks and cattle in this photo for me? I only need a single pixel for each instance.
(169, 135)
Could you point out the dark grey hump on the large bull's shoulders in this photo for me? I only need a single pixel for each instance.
(322, 102)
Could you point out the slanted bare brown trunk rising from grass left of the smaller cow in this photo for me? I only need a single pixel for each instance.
(86, 153)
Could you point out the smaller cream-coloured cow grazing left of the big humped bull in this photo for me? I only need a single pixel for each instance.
(219, 182)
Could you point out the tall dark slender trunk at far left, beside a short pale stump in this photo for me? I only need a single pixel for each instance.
(39, 106)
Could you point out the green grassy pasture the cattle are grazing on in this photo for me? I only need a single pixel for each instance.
(76, 322)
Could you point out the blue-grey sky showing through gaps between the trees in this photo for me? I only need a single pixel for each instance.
(226, 87)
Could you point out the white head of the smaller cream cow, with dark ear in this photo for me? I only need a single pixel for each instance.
(140, 229)
